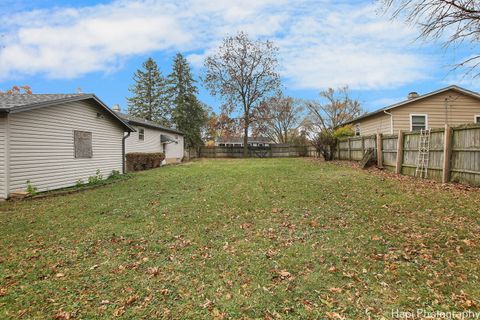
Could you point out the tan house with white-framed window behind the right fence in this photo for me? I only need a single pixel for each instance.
(451, 105)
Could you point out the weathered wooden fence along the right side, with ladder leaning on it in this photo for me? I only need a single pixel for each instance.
(454, 152)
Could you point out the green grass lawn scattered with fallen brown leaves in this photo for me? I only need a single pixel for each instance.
(260, 238)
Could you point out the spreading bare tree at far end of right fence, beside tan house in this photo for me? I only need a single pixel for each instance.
(333, 109)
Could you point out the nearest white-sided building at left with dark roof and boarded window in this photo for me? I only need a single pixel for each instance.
(55, 140)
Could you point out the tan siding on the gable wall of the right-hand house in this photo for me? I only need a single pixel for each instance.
(461, 110)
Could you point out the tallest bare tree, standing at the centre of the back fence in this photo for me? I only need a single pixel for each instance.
(243, 72)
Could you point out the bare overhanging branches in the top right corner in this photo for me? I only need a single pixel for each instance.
(452, 21)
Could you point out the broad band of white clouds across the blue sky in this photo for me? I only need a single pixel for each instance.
(321, 43)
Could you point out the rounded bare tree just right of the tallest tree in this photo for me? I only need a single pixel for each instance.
(277, 117)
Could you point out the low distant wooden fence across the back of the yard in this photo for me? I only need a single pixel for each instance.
(273, 151)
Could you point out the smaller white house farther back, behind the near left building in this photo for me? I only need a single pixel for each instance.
(151, 137)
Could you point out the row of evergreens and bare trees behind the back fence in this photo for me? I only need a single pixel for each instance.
(243, 73)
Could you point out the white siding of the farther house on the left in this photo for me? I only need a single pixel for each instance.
(173, 151)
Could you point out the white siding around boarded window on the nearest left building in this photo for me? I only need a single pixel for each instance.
(42, 148)
